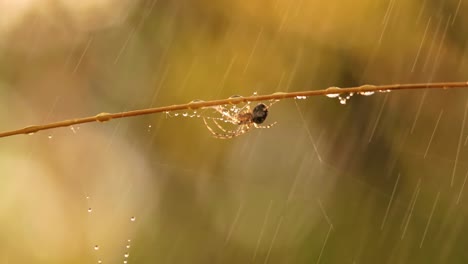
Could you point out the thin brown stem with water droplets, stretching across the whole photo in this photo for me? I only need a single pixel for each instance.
(103, 117)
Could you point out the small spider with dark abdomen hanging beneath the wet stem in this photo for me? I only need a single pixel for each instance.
(244, 118)
